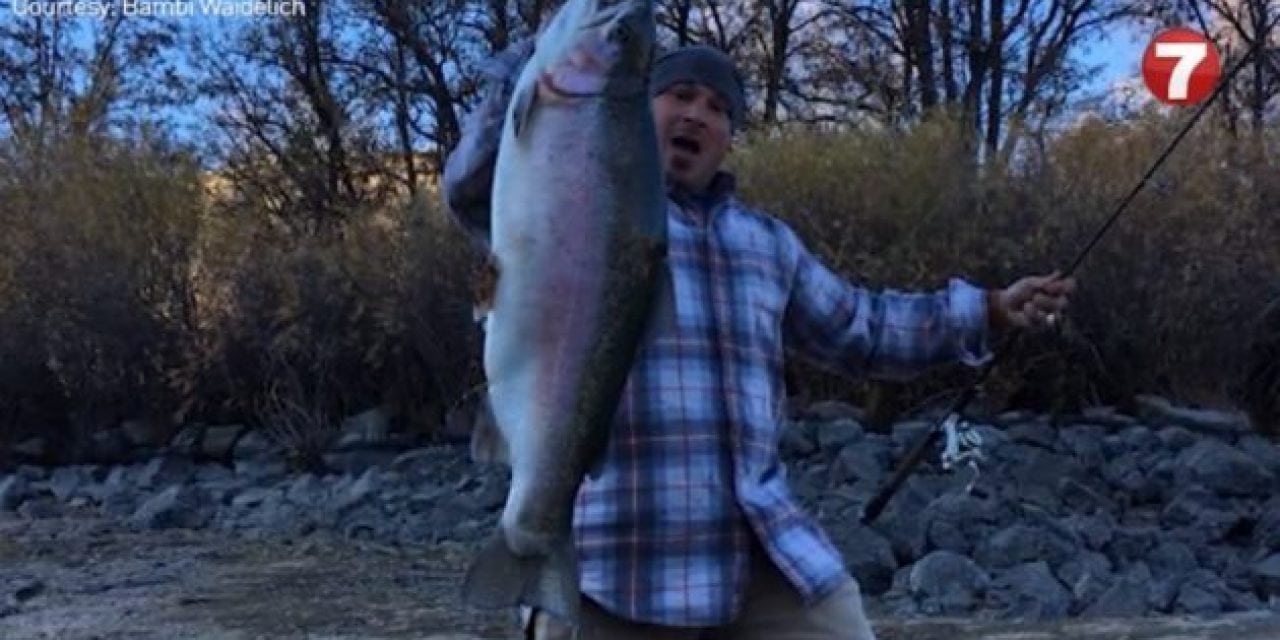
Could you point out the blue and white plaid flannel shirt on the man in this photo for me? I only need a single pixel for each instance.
(693, 472)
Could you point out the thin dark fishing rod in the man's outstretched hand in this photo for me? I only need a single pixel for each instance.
(916, 455)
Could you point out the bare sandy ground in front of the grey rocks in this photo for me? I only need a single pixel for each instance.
(80, 579)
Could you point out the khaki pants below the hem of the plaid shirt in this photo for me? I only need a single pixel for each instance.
(774, 611)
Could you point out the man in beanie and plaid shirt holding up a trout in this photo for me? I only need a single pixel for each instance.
(691, 531)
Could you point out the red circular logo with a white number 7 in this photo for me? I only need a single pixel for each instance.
(1181, 67)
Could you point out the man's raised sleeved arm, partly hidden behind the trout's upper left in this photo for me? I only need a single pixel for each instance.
(469, 171)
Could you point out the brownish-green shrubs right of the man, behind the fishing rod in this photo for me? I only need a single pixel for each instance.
(1165, 298)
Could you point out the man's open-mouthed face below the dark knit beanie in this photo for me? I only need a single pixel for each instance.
(694, 132)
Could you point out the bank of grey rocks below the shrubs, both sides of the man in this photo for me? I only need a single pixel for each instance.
(1101, 516)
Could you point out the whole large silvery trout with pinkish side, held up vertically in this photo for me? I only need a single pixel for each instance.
(578, 241)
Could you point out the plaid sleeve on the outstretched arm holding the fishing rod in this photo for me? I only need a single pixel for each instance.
(889, 336)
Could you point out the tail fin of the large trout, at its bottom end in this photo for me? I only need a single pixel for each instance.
(501, 579)
